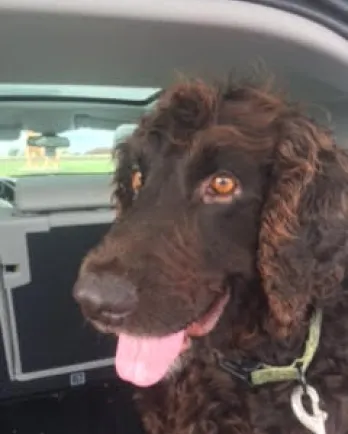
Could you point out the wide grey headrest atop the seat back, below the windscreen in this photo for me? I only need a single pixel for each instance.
(63, 192)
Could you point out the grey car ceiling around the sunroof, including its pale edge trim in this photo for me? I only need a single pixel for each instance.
(147, 43)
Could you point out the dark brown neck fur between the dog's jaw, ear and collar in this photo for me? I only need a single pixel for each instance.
(249, 336)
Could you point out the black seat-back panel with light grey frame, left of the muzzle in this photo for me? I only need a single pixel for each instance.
(15, 260)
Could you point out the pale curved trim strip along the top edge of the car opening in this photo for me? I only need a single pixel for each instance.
(223, 13)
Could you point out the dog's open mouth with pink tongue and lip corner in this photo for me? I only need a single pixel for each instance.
(144, 361)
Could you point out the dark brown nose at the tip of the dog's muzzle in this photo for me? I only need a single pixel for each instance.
(105, 297)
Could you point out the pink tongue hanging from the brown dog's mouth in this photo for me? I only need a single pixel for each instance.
(145, 361)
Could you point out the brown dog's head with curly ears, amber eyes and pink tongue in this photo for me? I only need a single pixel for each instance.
(225, 198)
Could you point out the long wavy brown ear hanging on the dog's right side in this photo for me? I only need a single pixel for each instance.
(303, 241)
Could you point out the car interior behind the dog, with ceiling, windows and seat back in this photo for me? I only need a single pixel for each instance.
(95, 68)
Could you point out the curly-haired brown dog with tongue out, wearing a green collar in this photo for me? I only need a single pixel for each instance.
(224, 273)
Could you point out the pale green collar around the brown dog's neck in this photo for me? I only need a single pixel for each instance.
(258, 374)
